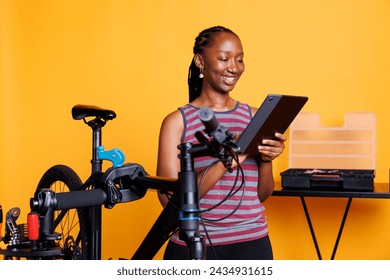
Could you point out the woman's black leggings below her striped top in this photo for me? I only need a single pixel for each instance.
(259, 249)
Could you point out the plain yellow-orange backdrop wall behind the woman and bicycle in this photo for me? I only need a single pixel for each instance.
(133, 56)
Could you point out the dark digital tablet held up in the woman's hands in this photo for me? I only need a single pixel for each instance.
(275, 114)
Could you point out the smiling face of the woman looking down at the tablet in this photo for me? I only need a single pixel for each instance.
(222, 63)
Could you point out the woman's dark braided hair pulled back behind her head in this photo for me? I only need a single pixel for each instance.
(203, 40)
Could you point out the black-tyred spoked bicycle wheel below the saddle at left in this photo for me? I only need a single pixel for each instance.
(72, 224)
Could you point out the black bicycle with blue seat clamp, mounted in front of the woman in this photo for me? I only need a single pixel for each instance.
(66, 212)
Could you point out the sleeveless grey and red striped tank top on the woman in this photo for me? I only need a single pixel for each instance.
(227, 218)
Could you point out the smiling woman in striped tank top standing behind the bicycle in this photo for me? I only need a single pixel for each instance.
(237, 227)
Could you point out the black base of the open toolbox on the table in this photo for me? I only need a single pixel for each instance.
(328, 179)
